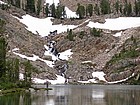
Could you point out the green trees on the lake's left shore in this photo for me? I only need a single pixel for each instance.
(10, 67)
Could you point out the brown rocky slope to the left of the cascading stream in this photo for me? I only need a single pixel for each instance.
(28, 43)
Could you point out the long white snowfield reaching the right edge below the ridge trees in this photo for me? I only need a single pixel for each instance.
(117, 23)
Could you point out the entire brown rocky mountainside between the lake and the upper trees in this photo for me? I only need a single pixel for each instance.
(93, 49)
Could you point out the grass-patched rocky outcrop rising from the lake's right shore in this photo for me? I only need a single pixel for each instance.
(127, 61)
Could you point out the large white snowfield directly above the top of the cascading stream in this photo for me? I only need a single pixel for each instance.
(43, 26)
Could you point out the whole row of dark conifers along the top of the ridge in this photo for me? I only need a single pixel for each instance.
(101, 8)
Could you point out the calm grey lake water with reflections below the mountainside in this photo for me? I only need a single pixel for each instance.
(77, 95)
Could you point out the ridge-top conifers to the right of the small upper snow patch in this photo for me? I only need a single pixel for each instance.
(105, 7)
